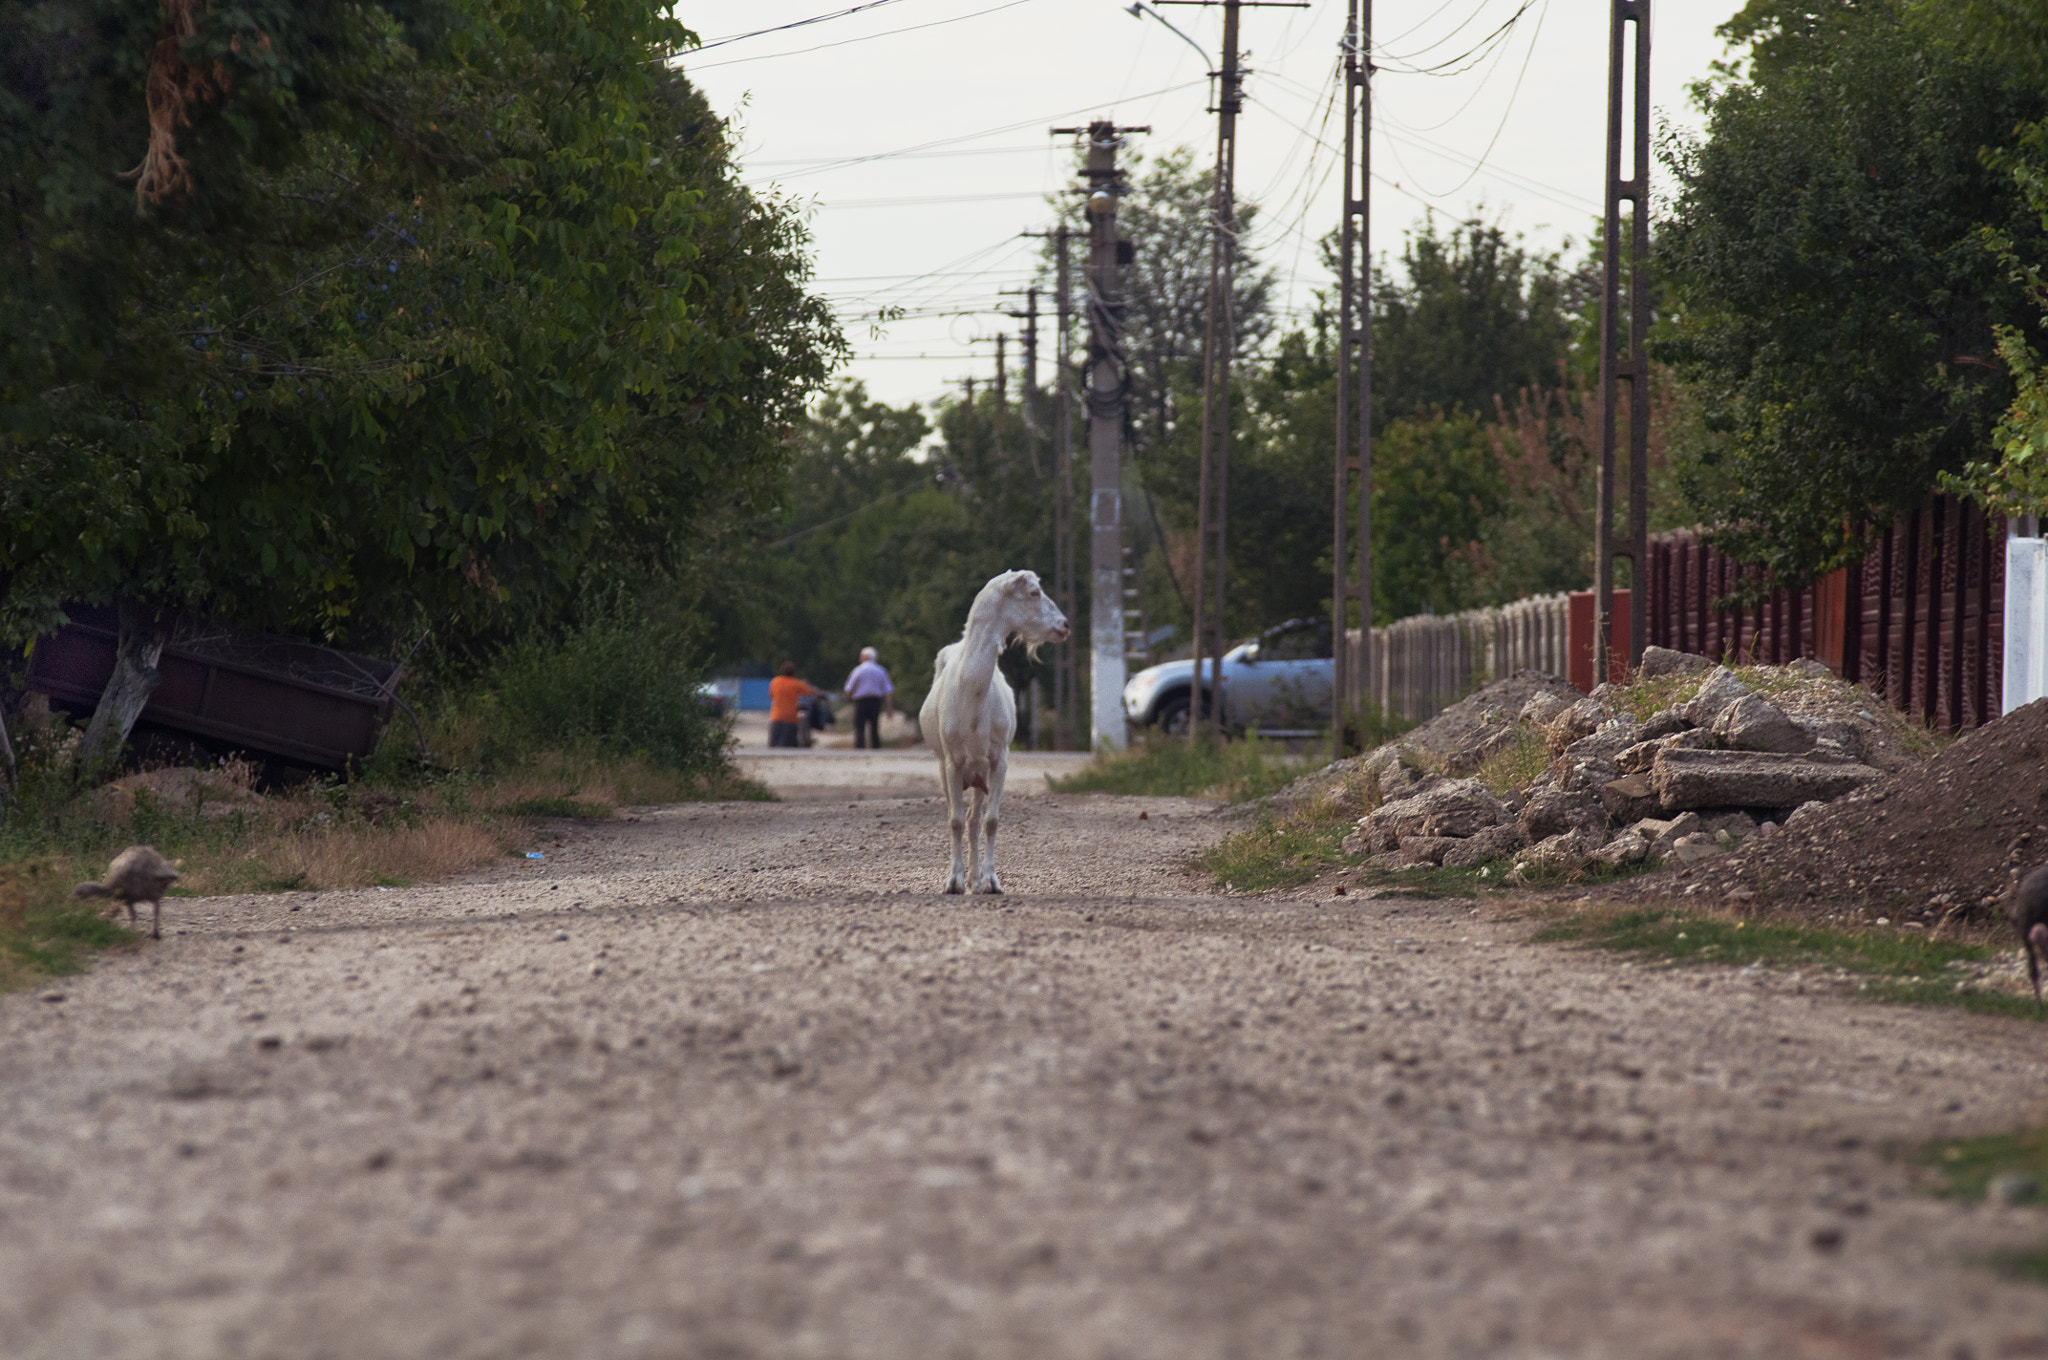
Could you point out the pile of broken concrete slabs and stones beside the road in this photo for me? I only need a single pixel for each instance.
(1682, 785)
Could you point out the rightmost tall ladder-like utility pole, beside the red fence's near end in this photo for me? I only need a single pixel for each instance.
(1633, 370)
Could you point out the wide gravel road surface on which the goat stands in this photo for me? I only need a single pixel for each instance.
(732, 1080)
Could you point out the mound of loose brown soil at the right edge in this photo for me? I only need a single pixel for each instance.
(1940, 839)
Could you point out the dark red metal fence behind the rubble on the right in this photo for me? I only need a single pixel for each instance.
(1918, 622)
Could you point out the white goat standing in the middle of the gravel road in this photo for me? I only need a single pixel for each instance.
(970, 718)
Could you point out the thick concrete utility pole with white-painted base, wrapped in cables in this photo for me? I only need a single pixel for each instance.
(1105, 439)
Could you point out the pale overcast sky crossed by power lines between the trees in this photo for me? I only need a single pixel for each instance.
(919, 134)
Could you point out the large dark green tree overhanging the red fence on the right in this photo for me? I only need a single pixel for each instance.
(1834, 302)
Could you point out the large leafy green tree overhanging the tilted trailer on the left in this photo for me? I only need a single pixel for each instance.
(558, 337)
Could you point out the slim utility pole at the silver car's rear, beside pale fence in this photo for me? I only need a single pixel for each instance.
(1355, 382)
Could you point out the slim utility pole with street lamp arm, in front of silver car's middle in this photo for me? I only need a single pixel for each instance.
(1215, 474)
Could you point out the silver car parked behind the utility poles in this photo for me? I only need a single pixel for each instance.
(1277, 683)
